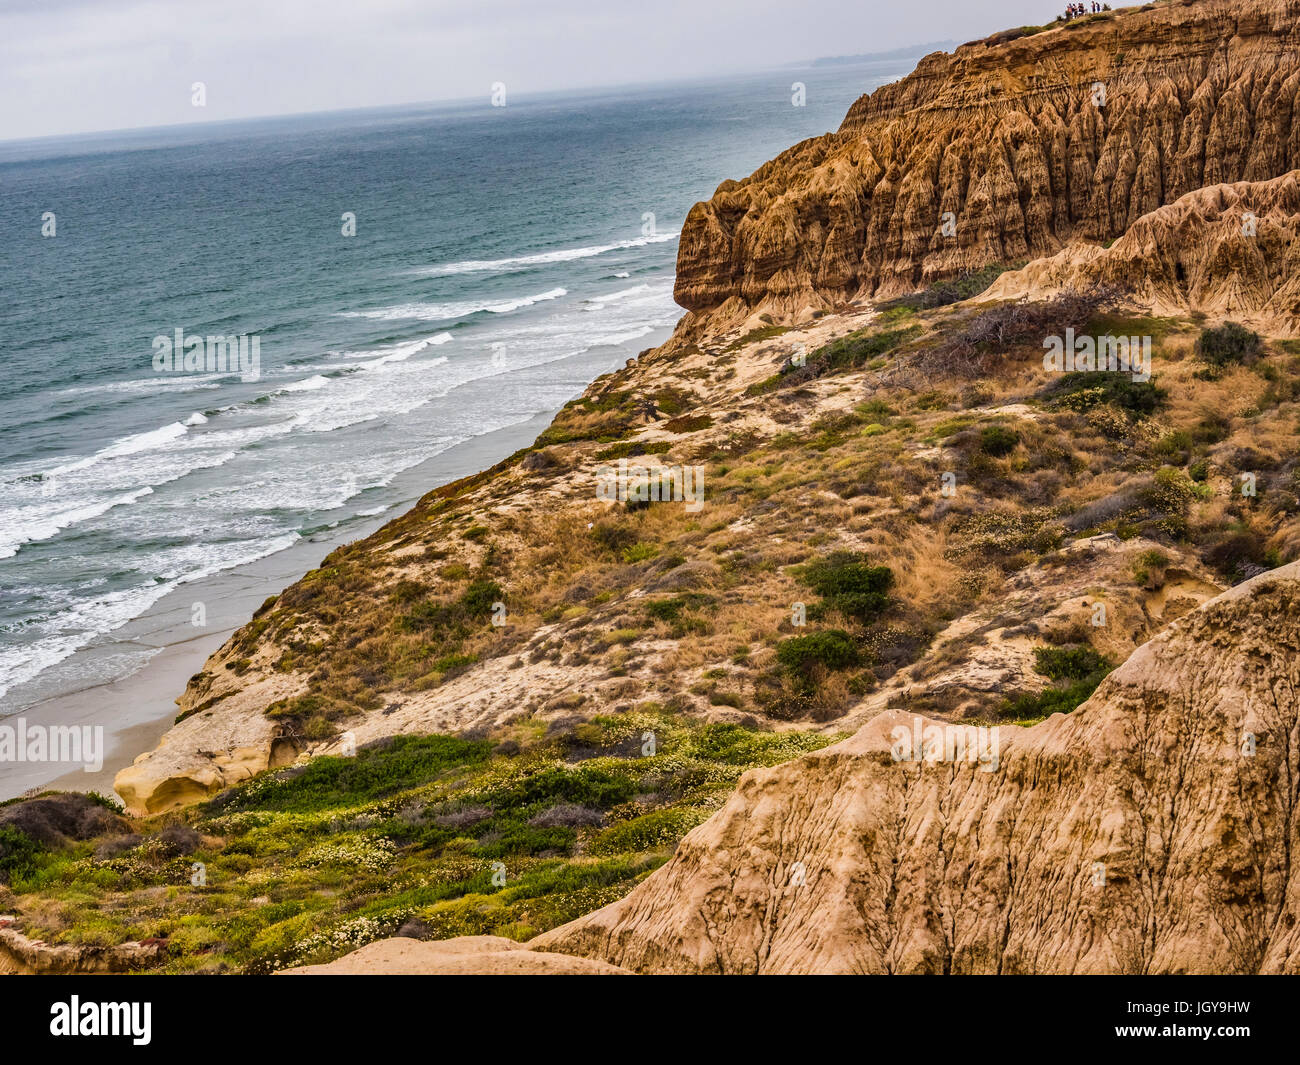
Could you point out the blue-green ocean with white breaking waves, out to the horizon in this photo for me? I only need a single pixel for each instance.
(502, 258)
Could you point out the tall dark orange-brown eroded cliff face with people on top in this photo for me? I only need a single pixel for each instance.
(1022, 146)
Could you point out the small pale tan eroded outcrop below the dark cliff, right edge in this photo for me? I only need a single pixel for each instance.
(1227, 250)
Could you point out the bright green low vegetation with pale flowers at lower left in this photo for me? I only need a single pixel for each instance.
(423, 835)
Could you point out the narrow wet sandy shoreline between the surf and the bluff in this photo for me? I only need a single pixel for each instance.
(144, 702)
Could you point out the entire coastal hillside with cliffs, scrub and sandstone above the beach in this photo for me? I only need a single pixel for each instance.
(612, 725)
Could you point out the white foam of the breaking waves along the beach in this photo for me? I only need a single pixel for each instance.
(226, 517)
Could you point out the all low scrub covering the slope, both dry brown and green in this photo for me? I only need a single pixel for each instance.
(827, 560)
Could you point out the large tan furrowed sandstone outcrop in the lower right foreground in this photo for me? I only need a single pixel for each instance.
(1150, 832)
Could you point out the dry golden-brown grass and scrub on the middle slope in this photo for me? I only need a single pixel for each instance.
(852, 462)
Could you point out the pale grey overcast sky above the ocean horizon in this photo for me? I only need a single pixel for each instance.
(80, 66)
